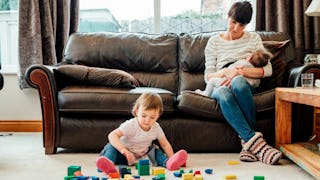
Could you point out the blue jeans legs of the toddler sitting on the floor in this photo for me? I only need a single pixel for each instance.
(155, 154)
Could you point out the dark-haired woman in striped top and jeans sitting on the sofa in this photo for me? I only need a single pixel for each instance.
(235, 95)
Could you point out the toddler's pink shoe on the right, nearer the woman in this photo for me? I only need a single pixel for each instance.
(177, 160)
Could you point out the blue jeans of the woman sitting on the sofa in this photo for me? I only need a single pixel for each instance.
(237, 106)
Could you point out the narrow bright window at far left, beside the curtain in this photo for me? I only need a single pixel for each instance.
(9, 35)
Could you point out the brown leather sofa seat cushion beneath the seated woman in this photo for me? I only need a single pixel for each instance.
(192, 103)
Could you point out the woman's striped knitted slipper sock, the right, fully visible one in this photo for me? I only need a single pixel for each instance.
(264, 152)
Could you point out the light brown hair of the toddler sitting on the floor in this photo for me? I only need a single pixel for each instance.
(148, 101)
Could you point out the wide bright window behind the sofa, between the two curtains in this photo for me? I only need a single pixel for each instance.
(155, 16)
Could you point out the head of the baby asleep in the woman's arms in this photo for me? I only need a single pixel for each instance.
(259, 58)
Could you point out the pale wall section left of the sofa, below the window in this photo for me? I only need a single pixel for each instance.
(17, 104)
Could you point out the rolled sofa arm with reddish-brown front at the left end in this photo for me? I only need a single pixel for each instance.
(42, 78)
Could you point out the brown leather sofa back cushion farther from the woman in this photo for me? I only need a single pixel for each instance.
(151, 59)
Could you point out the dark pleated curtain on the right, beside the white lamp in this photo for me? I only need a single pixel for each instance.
(288, 16)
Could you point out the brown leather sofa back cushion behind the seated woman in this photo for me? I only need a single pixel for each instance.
(192, 59)
